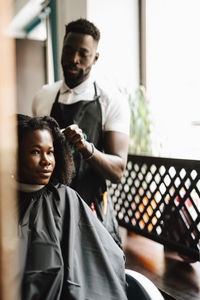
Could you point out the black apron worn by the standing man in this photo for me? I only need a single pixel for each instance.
(87, 182)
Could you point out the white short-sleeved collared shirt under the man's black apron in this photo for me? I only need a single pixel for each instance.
(115, 108)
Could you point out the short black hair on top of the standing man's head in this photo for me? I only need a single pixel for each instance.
(83, 26)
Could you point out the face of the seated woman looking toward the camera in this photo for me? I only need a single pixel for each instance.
(36, 157)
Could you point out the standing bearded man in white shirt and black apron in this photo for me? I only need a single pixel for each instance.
(96, 125)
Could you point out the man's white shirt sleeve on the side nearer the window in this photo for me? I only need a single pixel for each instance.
(116, 114)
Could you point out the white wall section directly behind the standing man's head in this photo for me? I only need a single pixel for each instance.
(118, 47)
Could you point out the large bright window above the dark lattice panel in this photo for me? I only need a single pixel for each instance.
(173, 76)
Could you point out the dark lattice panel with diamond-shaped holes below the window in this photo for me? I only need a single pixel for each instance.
(160, 198)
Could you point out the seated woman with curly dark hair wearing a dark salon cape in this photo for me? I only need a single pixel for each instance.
(66, 253)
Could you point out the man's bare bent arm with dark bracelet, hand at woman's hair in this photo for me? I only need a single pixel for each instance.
(112, 162)
